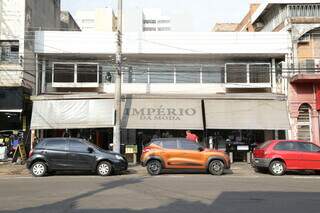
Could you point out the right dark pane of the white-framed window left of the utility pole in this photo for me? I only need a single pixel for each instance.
(87, 73)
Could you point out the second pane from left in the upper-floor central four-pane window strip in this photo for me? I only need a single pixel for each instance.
(161, 74)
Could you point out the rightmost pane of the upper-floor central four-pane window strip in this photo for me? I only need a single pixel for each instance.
(212, 74)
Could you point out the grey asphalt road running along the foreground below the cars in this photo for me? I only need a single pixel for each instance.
(140, 193)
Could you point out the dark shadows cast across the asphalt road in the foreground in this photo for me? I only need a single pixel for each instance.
(226, 202)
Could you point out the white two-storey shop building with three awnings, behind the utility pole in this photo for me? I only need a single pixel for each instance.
(224, 85)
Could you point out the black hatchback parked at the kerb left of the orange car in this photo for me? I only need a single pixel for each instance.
(73, 154)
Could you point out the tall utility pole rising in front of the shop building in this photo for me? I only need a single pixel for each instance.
(117, 94)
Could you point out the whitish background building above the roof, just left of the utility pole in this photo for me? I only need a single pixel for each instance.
(100, 19)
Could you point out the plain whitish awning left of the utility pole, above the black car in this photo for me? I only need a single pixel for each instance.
(72, 114)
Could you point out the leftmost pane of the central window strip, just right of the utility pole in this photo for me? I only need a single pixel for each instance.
(135, 74)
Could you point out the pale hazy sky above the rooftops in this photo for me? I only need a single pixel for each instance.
(204, 13)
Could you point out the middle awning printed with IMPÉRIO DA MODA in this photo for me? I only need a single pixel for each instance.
(162, 114)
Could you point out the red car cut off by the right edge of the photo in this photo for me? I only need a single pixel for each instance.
(281, 155)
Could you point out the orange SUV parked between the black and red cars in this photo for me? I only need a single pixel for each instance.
(180, 153)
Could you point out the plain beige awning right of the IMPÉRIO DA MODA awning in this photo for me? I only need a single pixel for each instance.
(247, 114)
